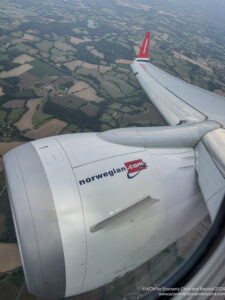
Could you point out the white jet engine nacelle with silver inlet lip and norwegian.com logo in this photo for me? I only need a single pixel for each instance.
(87, 211)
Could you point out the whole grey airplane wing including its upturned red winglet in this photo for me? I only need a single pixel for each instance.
(180, 103)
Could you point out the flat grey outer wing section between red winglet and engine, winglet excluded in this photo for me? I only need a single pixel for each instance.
(176, 99)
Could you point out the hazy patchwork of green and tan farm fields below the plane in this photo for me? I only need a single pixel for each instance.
(65, 68)
